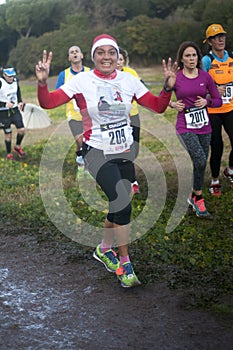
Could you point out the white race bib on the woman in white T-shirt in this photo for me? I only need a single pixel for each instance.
(115, 136)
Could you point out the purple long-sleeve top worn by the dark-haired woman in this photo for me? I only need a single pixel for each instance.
(188, 90)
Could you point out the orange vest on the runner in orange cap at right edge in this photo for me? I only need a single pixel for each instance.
(222, 74)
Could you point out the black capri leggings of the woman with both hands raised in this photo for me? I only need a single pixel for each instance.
(114, 177)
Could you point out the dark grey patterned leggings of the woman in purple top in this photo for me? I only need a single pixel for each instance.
(197, 145)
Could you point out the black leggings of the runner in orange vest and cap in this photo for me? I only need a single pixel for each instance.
(217, 122)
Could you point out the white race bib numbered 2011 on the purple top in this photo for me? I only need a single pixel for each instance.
(196, 117)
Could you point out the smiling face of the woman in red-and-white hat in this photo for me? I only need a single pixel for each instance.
(105, 59)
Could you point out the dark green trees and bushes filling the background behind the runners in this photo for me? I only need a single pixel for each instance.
(149, 32)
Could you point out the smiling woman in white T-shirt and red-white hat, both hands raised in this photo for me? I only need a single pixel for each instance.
(104, 96)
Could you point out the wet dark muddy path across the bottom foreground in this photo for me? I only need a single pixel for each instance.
(48, 300)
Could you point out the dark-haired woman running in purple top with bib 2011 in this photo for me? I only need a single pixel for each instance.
(195, 91)
